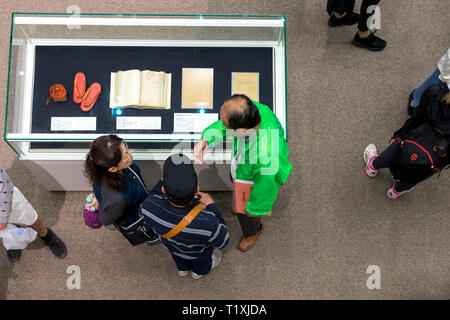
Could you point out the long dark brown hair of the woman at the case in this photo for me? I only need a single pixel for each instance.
(105, 152)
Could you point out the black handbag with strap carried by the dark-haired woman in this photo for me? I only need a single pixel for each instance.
(137, 232)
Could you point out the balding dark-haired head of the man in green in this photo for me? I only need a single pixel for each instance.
(246, 117)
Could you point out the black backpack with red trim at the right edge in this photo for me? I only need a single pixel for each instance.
(423, 152)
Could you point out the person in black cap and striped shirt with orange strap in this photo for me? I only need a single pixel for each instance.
(188, 222)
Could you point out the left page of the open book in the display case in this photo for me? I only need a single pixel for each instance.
(127, 88)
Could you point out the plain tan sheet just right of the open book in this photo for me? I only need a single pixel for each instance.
(197, 88)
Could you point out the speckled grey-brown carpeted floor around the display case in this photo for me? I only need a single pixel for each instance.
(330, 221)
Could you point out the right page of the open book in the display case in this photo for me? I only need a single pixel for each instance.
(154, 87)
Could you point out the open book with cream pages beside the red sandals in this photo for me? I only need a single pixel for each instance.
(140, 89)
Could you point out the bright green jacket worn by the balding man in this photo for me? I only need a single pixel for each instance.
(265, 162)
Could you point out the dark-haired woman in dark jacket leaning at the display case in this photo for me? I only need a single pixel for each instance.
(110, 169)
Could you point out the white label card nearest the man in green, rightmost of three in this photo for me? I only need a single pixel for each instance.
(193, 122)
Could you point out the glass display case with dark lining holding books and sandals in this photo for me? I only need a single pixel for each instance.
(49, 49)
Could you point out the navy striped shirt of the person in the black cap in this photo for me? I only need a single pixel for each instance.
(206, 232)
